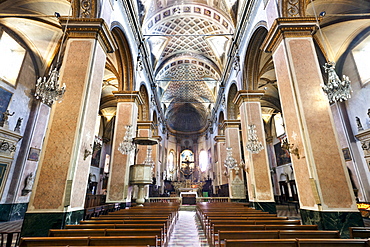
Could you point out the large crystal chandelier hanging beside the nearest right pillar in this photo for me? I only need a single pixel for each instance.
(335, 89)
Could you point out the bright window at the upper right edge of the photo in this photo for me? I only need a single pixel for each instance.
(361, 55)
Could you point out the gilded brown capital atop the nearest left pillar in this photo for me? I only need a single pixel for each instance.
(90, 28)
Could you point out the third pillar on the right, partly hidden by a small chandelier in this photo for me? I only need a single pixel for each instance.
(236, 180)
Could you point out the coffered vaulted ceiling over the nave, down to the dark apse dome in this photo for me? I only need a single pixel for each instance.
(189, 42)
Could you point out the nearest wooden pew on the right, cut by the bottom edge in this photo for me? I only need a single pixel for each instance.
(296, 243)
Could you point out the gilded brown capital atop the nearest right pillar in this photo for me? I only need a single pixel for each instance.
(289, 27)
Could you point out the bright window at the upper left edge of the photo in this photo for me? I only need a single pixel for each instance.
(12, 56)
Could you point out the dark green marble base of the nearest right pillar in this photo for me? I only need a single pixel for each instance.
(340, 221)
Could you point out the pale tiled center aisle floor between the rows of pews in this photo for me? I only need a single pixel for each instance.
(187, 231)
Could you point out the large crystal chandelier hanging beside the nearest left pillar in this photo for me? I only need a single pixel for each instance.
(48, 90)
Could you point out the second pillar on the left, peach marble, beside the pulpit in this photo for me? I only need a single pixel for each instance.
(127, 112)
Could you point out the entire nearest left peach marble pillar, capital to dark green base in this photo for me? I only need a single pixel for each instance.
(60, 186)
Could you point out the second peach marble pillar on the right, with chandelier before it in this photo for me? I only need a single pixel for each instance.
(257, 167)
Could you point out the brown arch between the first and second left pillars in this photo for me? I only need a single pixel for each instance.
(124, 59)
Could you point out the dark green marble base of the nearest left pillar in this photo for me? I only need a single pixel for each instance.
(38, 224)
